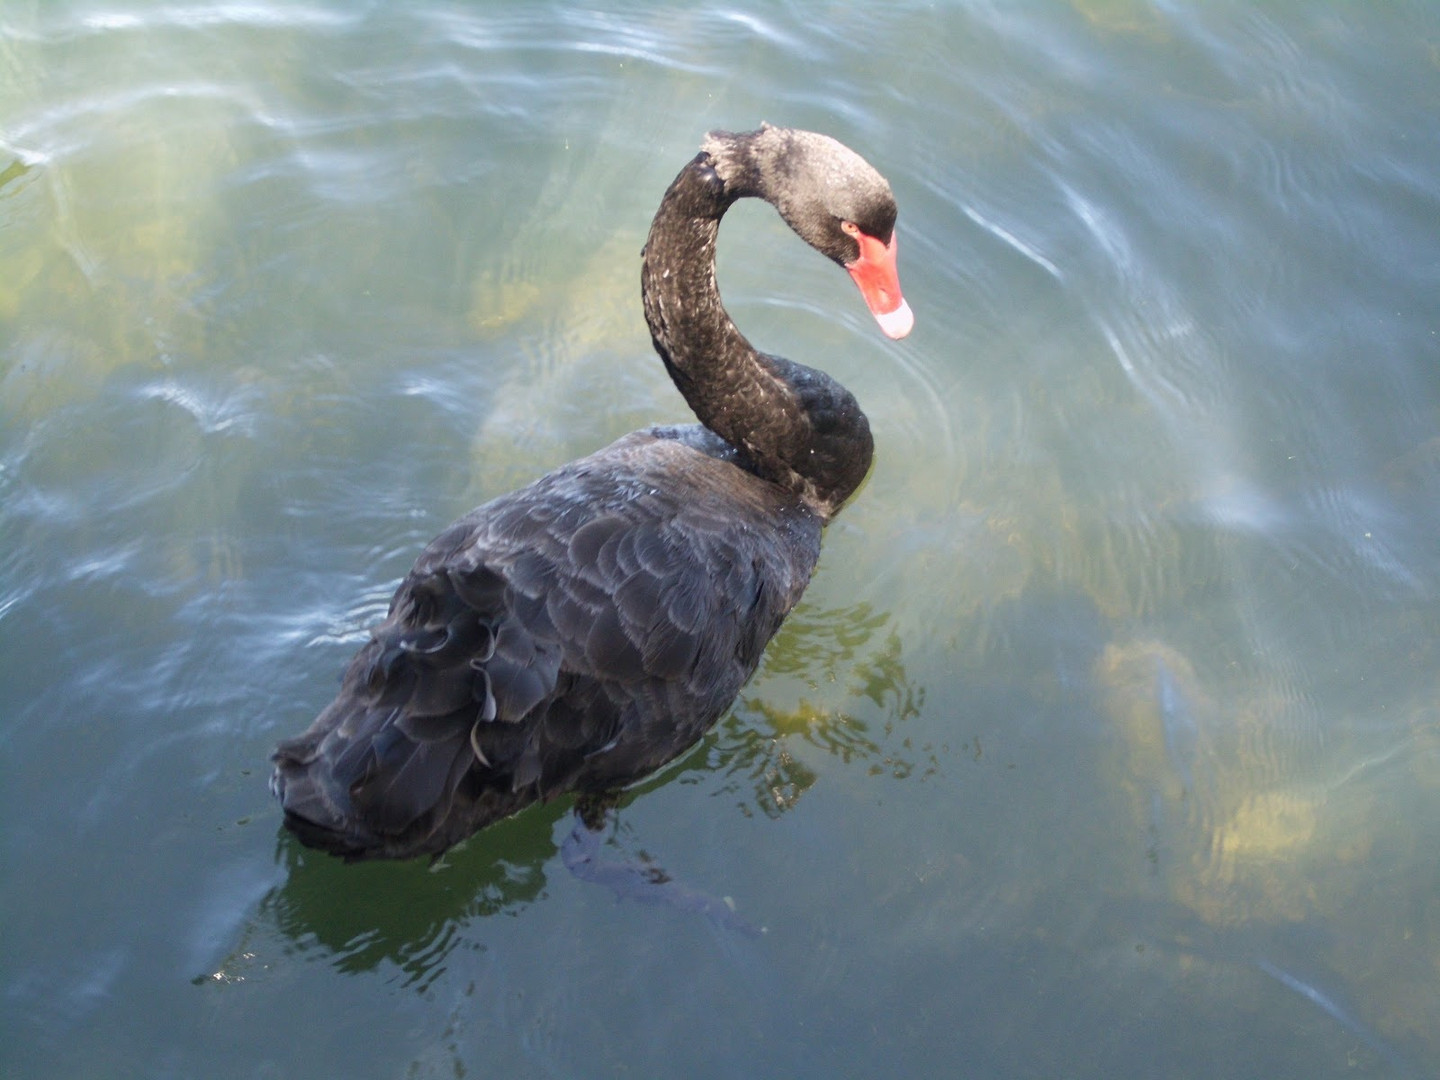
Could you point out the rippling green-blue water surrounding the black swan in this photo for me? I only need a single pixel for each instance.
(1105, 742)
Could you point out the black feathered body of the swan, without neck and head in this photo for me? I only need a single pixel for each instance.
(575, 634)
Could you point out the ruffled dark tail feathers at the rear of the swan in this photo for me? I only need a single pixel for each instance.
(423, 745)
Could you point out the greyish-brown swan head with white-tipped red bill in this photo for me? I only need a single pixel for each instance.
(832, 198)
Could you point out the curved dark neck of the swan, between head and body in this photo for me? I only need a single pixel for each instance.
(794, 426)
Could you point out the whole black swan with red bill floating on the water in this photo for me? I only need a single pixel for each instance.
(581, 633)
